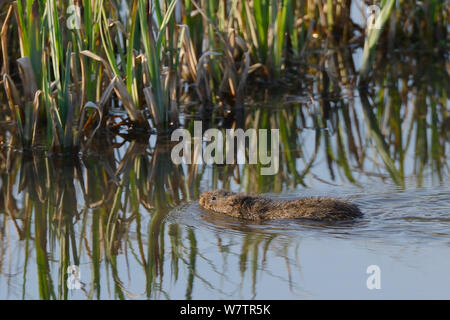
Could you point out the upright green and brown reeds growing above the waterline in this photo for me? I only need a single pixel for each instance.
(67, 64)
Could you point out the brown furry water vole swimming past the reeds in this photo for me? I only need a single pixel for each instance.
(256, 208)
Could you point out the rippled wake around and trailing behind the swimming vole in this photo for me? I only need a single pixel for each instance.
(414, 216)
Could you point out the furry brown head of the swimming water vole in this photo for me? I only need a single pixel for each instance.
(220, 201)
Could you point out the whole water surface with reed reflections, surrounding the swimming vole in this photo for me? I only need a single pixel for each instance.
(129, 218)
